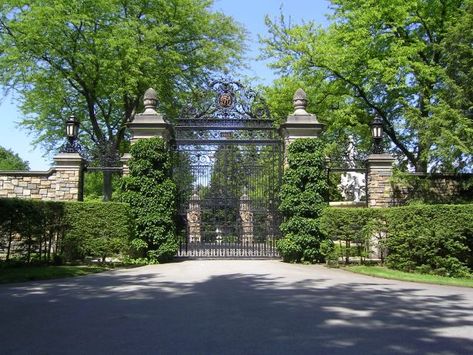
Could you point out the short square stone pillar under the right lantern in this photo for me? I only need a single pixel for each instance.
(380, 170)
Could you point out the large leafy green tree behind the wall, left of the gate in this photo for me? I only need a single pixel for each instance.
(95, 59)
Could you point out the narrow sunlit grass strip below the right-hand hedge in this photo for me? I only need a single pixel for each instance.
(379, 271)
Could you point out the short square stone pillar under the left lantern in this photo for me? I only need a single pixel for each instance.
(68, 176)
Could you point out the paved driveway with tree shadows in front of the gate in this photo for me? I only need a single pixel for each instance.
(234, 307)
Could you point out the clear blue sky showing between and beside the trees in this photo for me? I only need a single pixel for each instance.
(249, 13)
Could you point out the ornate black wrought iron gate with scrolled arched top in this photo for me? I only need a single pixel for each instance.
(228, 169)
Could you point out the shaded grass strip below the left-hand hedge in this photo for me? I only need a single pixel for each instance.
(24, 273)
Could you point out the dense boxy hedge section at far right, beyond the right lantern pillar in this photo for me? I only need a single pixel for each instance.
(439, 238)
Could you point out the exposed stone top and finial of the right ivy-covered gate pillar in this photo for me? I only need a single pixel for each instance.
(300, 124)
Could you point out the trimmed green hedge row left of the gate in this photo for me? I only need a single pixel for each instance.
(51, 231)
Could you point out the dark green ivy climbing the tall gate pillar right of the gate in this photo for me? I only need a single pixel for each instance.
(302, 196)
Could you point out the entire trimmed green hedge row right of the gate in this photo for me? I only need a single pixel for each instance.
(424, 238)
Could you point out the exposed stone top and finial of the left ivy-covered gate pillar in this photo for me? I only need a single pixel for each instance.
(148, 124)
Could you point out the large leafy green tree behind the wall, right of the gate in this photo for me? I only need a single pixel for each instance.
(391, 58)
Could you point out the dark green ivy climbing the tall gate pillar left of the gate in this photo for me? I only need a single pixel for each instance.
(151, 194)
